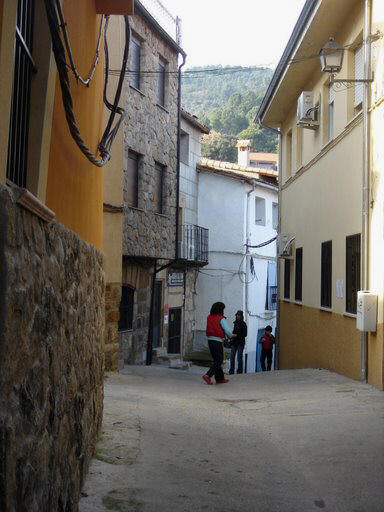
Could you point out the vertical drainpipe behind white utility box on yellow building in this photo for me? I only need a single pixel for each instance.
(364, 277)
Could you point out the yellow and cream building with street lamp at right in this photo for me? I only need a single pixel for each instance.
(331, 188)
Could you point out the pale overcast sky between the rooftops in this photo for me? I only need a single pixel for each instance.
(230, 32)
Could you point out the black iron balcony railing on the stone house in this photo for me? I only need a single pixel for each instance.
(193, 245)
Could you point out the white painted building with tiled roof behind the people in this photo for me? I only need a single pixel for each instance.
(238, 204)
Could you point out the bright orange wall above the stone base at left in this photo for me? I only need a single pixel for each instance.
(75, 186)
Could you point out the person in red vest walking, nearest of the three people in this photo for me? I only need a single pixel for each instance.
(217, 329)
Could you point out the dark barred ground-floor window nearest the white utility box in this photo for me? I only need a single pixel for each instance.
(352, 272)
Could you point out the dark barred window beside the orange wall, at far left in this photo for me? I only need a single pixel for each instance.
(21, 96)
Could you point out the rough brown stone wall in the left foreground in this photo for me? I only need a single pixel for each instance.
(51, 362)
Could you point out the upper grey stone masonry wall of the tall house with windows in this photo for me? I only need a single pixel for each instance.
(151, 131)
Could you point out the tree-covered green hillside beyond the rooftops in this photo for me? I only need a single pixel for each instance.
(226, 100)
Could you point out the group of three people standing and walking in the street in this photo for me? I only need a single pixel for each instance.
(218, 331)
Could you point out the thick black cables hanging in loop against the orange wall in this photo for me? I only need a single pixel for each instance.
(53, 8)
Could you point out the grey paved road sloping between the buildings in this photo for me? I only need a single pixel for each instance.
(289, 441)
